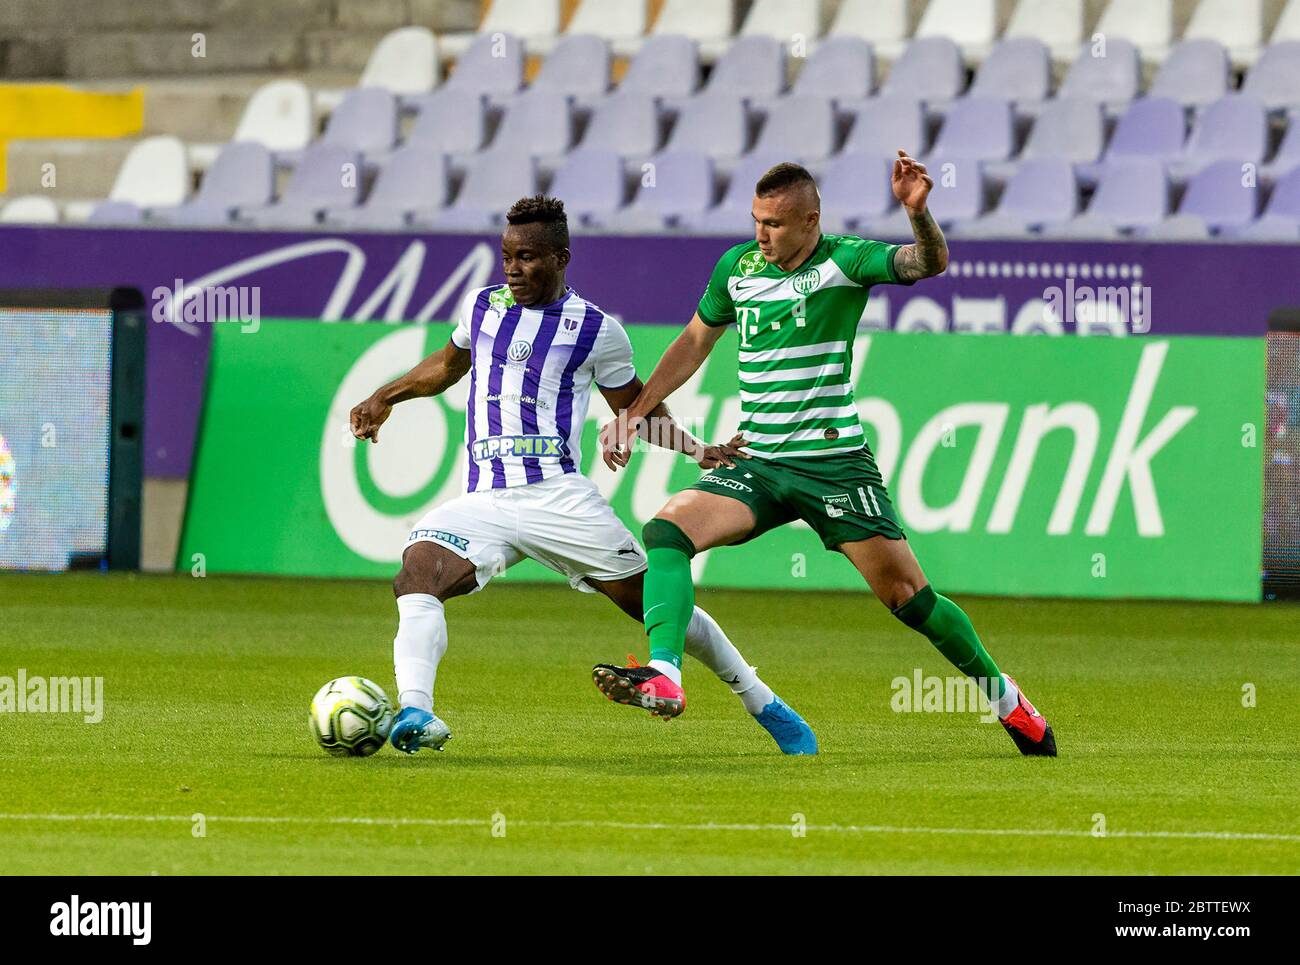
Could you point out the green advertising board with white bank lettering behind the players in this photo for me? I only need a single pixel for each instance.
(1037, 466)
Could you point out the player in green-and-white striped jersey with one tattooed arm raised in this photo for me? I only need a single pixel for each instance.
(796, 297)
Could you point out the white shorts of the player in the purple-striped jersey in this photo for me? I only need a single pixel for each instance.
(562, 522)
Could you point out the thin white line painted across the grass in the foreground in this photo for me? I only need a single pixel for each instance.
(661, 826)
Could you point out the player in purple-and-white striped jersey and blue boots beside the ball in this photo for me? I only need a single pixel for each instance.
(534, 349)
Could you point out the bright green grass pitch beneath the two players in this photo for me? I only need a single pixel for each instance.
(207, 685)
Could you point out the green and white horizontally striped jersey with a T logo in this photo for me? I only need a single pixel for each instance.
(796, 341)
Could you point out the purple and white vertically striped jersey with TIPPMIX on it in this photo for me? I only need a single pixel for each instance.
(531, 377)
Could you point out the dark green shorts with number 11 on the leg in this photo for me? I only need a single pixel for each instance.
(842, 497)
